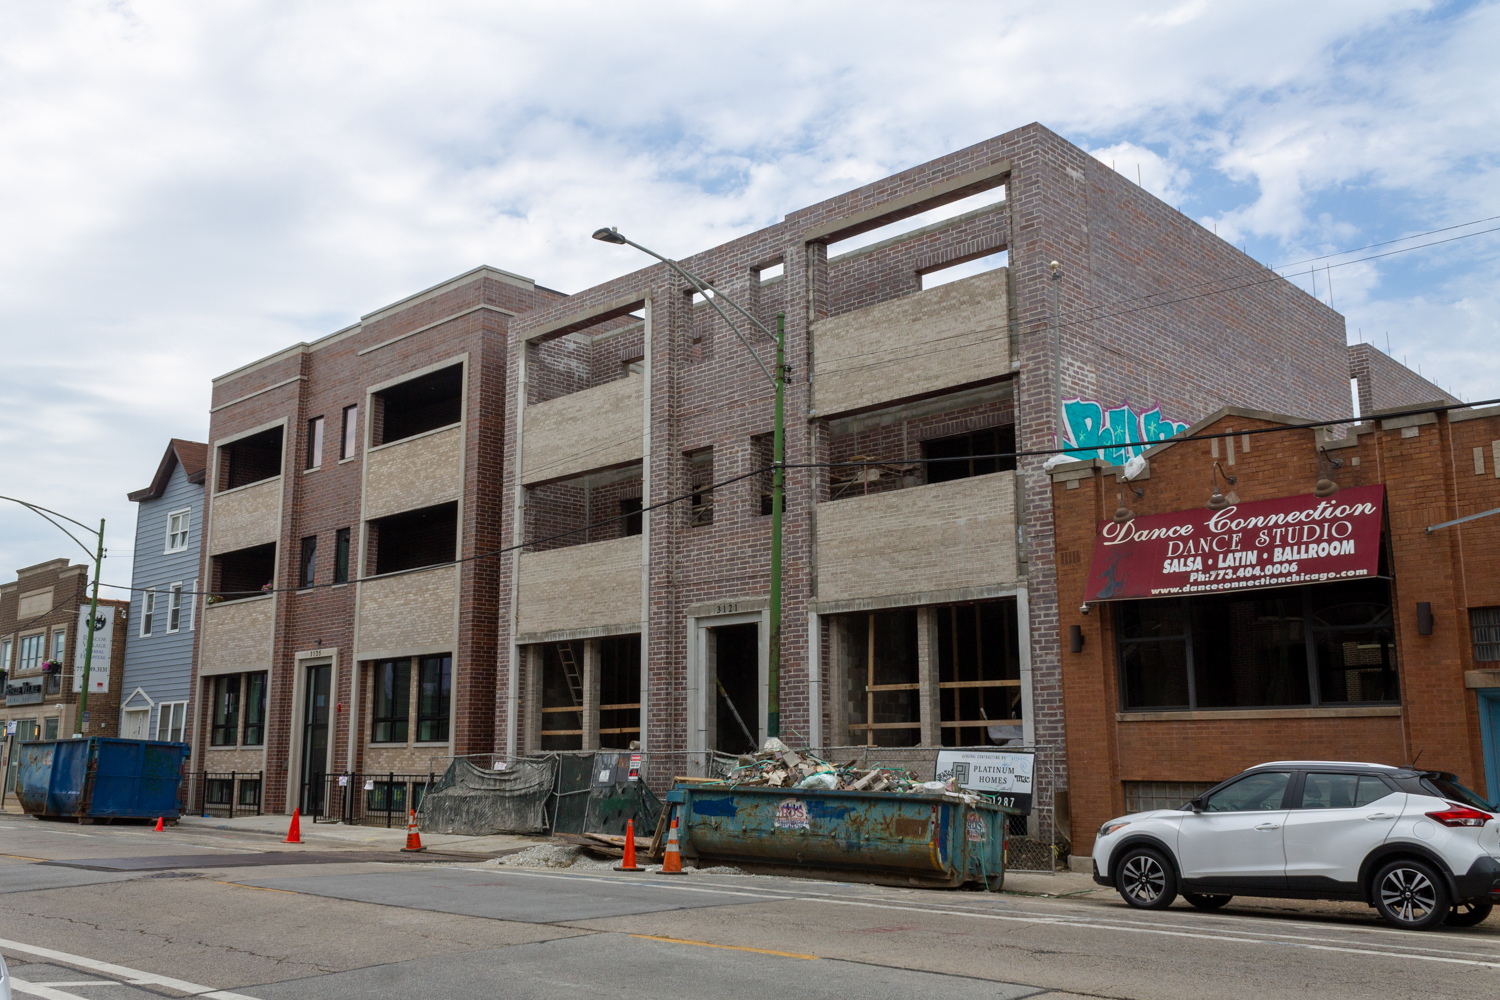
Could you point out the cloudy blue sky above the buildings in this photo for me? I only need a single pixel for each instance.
(190, 187)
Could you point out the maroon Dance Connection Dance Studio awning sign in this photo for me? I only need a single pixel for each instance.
(1244, 546)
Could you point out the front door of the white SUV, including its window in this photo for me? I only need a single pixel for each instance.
(1238, 834)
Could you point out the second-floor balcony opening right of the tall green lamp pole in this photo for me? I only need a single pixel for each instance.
(955, 428)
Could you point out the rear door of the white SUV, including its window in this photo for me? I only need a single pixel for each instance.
(1342, 818)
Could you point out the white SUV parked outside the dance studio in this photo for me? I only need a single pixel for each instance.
(1415, 845)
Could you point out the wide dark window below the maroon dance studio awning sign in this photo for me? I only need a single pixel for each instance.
(1328, 644)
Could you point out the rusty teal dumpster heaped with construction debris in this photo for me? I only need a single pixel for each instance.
(929, 840)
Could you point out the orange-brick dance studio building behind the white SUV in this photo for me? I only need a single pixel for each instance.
(1169, 695)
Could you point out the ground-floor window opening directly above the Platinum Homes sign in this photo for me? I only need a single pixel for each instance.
(980, 675)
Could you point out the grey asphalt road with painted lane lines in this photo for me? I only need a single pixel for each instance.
(134, 914)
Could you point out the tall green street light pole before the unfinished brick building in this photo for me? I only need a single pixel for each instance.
(773, 701)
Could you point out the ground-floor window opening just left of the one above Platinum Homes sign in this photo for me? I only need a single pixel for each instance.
(884, 695)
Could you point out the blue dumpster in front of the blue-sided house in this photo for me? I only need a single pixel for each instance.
(101, 779)
